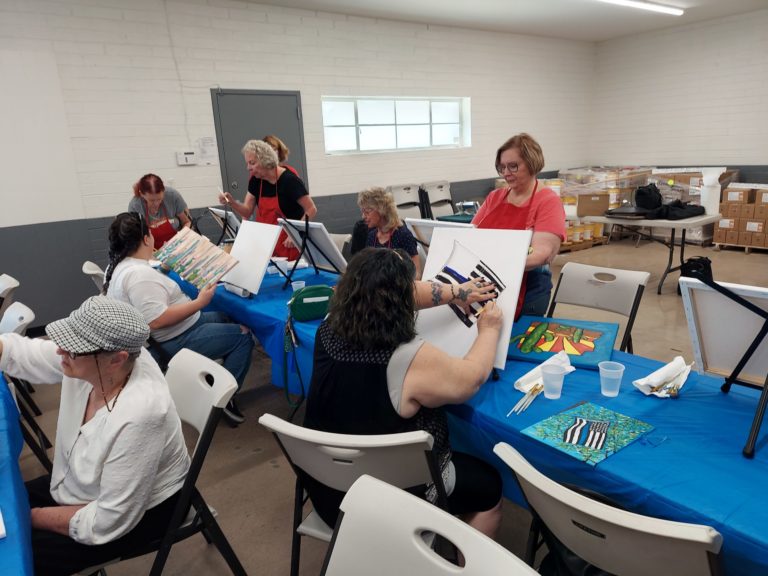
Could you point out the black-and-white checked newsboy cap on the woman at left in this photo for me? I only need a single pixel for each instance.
(101, 323)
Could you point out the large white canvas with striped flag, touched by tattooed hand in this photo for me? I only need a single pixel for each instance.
(504, 252)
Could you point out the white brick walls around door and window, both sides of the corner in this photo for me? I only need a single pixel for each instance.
(136, 78)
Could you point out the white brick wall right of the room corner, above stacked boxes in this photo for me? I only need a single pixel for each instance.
(691, 95)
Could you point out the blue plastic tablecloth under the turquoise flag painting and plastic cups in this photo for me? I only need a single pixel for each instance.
(689, 468)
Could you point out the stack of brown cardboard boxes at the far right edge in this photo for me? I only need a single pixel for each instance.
(745, 216)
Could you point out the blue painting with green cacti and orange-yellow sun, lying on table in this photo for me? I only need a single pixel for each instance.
(534, 339)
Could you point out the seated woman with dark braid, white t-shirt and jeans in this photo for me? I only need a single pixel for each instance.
(175, 320)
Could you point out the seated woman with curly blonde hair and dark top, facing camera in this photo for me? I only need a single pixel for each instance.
(385, 228)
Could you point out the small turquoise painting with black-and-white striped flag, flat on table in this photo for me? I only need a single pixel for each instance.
(588, 432)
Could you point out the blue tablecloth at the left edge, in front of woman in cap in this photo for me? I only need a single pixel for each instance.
(15, 548)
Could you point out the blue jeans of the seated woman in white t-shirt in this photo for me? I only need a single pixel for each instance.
(216, 336)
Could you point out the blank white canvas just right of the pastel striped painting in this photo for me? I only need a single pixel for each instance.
(253, 247)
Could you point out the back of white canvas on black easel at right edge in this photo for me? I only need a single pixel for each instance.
(721, 330)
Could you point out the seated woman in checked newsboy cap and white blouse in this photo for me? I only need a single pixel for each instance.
(120, 458)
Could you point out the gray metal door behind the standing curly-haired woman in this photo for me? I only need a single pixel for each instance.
(242, 115)
